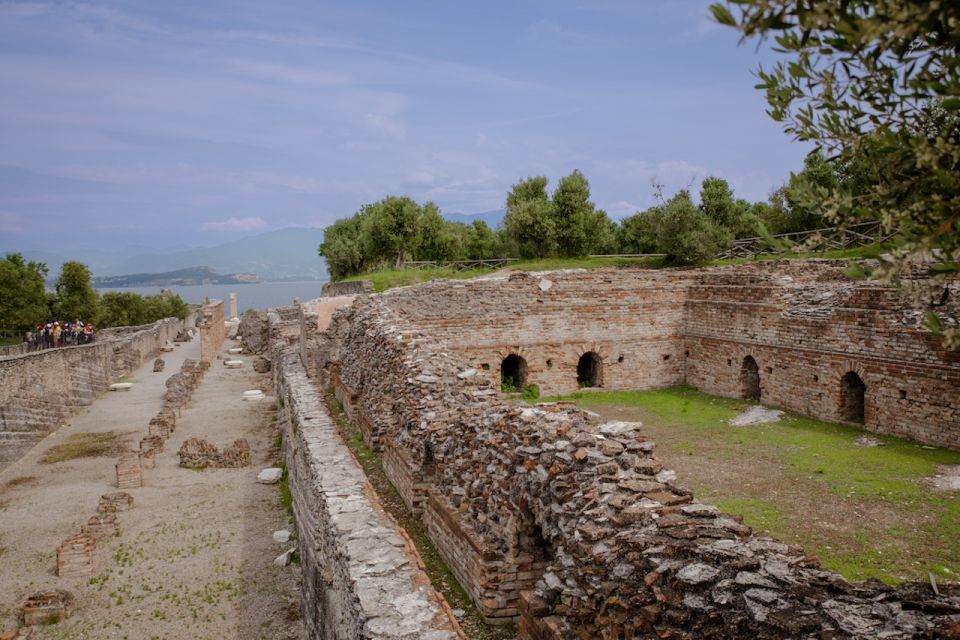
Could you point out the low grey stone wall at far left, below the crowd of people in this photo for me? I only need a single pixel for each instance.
(39, 390)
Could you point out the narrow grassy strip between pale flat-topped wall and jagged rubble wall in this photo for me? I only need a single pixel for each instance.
(440, 575)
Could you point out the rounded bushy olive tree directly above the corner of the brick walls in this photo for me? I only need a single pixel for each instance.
(686, 234)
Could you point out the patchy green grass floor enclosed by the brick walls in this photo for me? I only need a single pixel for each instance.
(863, 511)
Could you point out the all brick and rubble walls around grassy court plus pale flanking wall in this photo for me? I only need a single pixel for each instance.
(569, 527)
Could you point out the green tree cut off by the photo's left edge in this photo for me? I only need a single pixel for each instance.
(23, 300)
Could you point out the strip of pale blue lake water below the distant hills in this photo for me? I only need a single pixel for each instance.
(260, 295)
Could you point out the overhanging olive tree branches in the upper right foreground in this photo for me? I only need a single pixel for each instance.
(875, 82)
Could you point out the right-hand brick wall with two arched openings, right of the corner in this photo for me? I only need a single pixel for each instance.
(808, 330)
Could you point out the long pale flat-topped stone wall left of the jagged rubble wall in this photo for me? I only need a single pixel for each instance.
(361, 576)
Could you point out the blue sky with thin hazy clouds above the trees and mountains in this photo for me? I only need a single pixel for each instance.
(173, 123)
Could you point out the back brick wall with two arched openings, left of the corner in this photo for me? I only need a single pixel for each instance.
(631, 318)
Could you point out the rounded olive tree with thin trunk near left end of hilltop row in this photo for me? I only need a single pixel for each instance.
(391, 228)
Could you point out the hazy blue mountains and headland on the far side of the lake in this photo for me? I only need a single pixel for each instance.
(287, 254)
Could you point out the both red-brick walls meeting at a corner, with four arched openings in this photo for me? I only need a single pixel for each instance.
(804, 323)
